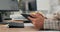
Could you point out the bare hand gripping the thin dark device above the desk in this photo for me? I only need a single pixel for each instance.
(37, 20)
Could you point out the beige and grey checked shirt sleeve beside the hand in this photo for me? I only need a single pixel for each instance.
(51, 24)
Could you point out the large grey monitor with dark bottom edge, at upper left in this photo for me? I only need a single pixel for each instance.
(9, 5)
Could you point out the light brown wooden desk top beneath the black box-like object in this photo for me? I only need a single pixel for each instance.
(4, 28)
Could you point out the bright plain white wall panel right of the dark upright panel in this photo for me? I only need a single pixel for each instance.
(43, 4)
